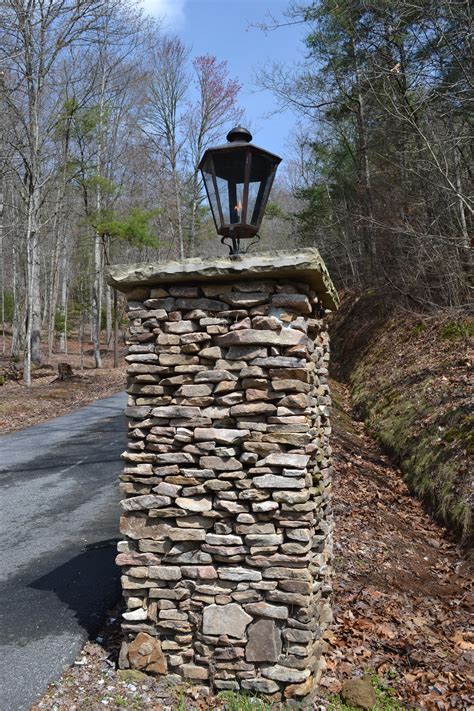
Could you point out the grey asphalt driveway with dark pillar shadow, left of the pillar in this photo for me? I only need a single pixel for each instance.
(58, 526)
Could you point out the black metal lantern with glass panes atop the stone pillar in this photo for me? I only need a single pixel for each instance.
(238, 177)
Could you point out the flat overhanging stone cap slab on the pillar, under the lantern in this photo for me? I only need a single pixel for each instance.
(305, 265)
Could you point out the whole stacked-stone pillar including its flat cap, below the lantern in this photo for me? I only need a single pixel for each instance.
(226, 512)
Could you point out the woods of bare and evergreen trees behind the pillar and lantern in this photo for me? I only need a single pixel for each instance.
(103, 119)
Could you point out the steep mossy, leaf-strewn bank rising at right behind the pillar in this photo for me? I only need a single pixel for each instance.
(410, 381)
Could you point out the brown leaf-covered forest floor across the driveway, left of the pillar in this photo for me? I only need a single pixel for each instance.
(21, 406)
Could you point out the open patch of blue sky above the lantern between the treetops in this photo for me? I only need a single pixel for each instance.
(224, 28)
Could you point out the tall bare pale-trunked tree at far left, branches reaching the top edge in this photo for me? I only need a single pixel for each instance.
(34, 36)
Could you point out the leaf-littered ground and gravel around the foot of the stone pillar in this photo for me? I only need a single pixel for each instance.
(402, 598)
